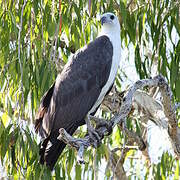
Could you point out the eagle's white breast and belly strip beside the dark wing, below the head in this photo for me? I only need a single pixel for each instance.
(116, 42)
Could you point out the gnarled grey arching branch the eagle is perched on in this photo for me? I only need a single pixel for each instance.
(80, 144)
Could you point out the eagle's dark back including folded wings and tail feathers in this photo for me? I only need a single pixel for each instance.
(74, 93)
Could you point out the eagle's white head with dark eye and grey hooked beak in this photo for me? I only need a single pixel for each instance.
(110, 24)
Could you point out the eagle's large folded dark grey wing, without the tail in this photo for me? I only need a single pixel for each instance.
(79, 85)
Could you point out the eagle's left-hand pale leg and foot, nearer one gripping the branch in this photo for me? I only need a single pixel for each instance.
(93, 134)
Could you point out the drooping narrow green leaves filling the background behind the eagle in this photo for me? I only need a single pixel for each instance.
(36, 39)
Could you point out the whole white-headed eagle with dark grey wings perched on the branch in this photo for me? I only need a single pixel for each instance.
(79, 89)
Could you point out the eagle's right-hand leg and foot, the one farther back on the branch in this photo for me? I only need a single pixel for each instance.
(101, 123)
